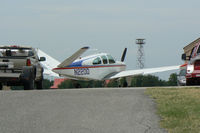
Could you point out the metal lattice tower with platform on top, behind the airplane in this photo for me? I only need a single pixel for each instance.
(140, 52)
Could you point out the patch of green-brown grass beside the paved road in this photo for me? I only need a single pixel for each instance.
(179, 108)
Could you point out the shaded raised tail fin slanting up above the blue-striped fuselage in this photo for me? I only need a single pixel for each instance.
(72, 58)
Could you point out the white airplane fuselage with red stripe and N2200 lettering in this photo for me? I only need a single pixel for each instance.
(95, 67)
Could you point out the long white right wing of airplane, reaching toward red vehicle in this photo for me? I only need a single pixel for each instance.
(141, 72)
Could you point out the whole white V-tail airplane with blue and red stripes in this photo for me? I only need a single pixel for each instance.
(94, 67)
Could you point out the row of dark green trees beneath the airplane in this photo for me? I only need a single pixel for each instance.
(136, 81)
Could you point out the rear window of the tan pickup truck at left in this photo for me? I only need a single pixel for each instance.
(16, 52)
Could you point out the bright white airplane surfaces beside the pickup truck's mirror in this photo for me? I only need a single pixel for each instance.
(49, 64)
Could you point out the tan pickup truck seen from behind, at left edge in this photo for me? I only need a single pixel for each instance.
(20, 66)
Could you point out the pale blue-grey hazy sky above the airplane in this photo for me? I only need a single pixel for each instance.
(60, 27)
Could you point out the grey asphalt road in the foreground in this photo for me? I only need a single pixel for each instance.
(78, 111)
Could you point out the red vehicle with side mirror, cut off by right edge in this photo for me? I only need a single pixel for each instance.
(193, 66)
